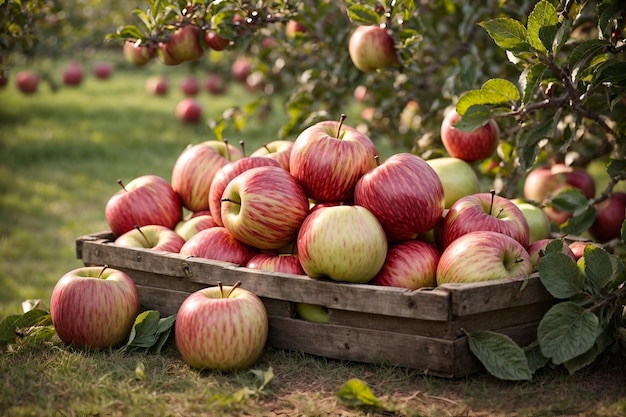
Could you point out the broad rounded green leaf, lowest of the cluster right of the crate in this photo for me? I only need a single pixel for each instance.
(566, 331)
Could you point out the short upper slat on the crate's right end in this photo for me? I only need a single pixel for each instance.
(479, 297)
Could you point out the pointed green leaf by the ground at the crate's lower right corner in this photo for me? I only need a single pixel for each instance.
(500, 355)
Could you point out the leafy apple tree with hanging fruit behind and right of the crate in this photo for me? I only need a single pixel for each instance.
(551, 73)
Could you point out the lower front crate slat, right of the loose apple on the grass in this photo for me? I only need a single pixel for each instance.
(428, 355)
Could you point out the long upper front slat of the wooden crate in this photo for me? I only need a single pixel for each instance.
(428, 305)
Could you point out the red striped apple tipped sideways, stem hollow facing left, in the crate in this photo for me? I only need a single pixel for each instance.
(264, 207)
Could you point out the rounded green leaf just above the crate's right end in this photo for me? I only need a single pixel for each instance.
(560, 275)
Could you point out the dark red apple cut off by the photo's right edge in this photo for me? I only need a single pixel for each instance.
(610, 216)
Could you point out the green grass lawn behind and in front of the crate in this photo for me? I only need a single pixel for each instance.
(60, 156)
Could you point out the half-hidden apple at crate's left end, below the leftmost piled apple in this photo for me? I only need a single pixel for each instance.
(152, 236)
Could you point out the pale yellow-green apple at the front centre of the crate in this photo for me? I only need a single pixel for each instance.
(343, 243)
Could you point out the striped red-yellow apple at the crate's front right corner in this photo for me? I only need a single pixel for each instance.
(483, 256)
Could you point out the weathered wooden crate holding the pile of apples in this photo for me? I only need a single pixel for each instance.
(420, 329)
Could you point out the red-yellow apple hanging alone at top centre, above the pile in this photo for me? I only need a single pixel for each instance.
(372, 48)
